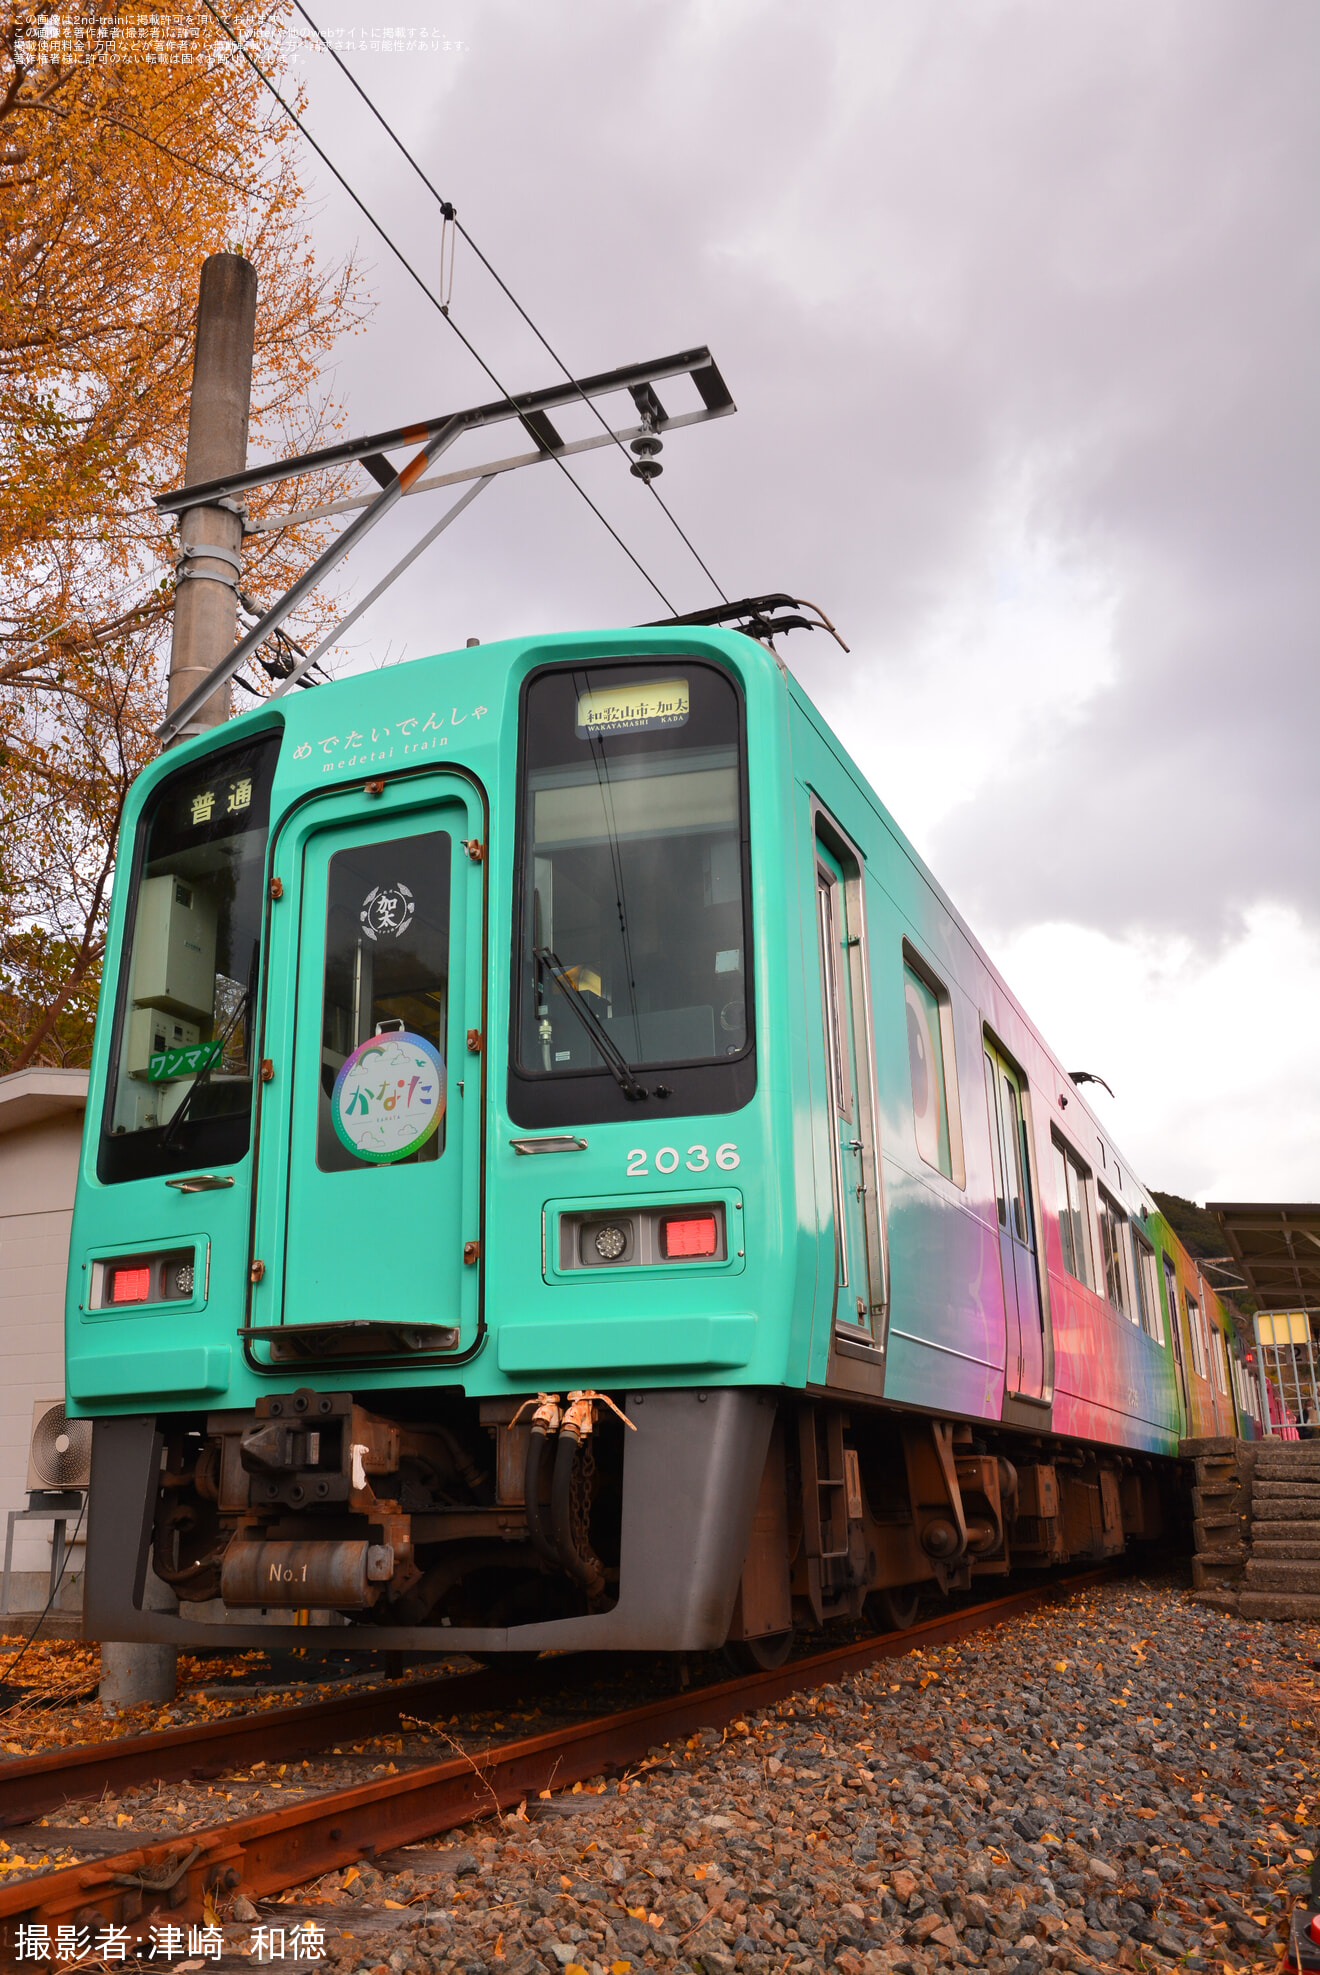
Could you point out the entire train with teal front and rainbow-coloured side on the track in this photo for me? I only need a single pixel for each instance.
(558, 1170)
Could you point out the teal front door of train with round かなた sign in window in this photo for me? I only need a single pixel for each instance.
(380, 1170)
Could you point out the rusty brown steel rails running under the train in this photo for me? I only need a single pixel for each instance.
(278, 1850)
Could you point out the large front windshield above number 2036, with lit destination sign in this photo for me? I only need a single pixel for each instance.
(633, 874)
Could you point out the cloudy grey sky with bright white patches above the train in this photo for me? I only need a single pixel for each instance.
(1019, 303)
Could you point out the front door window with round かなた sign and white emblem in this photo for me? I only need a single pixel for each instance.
(384, 1004)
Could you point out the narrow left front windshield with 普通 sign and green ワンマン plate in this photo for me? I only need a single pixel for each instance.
(183, 1075)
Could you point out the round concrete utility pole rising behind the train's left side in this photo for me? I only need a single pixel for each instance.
(212, 538)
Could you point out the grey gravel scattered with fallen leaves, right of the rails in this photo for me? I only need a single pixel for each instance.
(1123, 1780)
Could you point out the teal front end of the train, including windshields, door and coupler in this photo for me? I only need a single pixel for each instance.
(355, 1133)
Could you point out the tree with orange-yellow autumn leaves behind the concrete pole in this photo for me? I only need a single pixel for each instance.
(127, 157)
